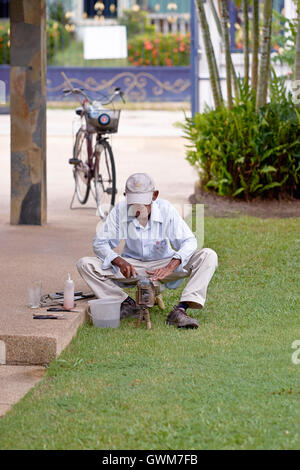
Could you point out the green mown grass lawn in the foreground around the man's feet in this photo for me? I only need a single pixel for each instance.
(230, 384)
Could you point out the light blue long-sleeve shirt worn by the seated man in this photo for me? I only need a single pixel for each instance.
(166, 235)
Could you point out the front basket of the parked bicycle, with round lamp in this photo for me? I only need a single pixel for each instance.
(103, 120)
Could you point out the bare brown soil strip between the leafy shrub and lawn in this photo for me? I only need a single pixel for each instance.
(220, 206)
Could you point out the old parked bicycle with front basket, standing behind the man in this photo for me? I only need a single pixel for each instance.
(94, 162)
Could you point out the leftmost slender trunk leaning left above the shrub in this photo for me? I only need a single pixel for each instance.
(210, 55)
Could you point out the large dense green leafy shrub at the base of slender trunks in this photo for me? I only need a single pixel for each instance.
(242, 153)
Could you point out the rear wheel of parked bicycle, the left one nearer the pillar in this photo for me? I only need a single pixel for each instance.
(82, 177)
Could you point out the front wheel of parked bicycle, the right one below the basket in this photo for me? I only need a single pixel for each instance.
(105, 179)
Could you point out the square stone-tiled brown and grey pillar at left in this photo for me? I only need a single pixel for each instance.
(28, 112)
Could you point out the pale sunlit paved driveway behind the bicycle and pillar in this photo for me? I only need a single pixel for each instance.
(147, 141)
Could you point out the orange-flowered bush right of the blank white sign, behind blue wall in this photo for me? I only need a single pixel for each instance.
(159, 49)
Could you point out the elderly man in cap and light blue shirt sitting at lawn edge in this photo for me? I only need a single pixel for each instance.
(155, 242)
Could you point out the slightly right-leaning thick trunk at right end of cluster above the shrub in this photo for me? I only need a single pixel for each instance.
(264, 70)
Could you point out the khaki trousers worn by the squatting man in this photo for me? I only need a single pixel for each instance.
(199, 270)
